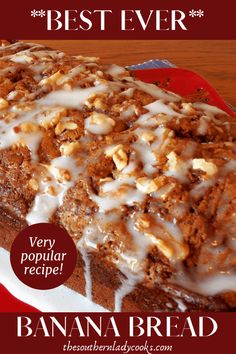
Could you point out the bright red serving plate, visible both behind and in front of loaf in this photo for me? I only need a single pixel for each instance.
(181, 81)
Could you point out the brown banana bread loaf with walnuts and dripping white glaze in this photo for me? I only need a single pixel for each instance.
(143, 181)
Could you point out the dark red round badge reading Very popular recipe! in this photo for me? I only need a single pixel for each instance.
(43, 256)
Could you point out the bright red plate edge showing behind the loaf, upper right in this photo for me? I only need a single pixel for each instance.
(186, 83)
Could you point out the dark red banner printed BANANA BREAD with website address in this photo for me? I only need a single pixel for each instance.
(117, 332)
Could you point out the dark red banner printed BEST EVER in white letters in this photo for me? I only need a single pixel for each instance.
(198, 19)
